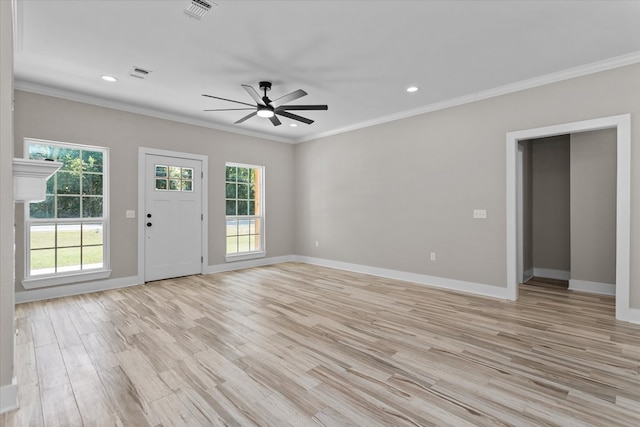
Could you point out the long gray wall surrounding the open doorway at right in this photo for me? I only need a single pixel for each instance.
(389, 194)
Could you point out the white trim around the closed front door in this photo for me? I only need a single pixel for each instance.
(204, 250)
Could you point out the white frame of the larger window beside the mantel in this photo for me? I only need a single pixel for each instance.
(63, 278)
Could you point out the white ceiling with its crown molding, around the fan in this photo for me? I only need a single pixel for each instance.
(356, 56)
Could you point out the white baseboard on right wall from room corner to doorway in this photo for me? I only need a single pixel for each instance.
(422, 279)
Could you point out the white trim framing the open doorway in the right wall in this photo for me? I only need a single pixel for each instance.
(622, 123)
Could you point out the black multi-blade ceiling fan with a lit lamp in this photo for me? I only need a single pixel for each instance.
(267, 108)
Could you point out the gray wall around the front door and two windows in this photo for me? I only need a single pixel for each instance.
(45, 117)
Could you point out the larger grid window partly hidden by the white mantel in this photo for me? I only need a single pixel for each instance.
(66, 231)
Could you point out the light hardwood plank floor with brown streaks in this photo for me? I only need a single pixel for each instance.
(300, 345)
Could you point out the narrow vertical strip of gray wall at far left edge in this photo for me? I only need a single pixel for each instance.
(6, 196)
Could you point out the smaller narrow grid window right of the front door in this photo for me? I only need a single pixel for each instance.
(244, 185)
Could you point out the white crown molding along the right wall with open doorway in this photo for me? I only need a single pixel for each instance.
(583, 70)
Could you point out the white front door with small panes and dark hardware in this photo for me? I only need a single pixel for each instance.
(172, 217)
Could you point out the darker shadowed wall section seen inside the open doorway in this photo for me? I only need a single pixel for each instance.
(550, 208)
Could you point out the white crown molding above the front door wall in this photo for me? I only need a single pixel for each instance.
(122, 106)
